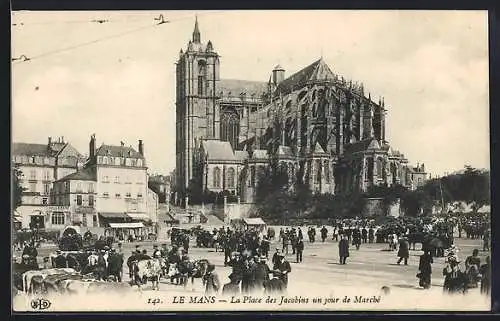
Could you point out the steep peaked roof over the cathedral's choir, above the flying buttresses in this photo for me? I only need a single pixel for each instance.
(318, 70)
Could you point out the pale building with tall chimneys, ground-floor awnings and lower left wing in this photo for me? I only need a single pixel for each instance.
(110, 189)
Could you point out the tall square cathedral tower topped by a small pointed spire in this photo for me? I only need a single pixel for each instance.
(197, 115)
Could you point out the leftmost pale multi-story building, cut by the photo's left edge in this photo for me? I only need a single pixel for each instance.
(41, 165)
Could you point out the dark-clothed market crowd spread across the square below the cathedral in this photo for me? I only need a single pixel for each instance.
(255, 269)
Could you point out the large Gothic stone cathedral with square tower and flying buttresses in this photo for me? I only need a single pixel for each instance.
(323, 130)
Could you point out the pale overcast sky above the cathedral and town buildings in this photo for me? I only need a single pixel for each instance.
(431, 67)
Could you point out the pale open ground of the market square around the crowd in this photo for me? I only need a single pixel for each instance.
(320, 274)
